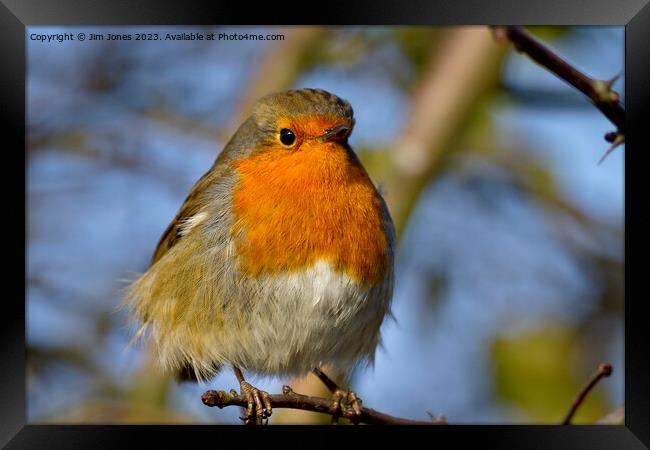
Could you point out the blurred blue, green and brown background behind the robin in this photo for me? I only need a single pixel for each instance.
(509, 271)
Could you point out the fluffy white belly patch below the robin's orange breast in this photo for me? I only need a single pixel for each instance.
(312, 318)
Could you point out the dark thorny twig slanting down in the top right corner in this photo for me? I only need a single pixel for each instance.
(599, 91)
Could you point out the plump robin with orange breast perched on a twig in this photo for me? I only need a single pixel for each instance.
(280, 261)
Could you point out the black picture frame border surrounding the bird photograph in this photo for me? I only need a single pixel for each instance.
(16, 15)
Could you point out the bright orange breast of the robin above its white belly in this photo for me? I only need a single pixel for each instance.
(295, 207)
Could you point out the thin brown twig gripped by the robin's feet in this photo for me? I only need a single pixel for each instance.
(292, 400)
